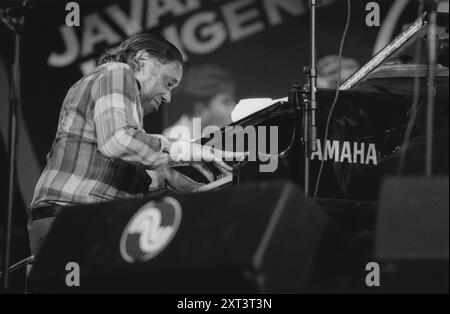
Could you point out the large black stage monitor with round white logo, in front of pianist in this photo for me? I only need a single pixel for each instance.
(258, 238)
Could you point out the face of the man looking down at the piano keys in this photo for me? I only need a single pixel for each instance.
(157, 81)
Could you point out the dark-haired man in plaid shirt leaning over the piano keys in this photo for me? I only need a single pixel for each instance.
(101, 151)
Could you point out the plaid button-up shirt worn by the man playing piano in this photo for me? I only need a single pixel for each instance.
(101, 151)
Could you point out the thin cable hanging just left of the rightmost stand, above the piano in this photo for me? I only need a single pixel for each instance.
(415, 104)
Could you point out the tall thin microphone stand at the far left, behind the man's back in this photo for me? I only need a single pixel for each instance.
(14, 20)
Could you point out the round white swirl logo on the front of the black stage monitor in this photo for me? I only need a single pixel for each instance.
(150, 230)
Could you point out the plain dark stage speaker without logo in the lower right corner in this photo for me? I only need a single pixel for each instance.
(413, 235)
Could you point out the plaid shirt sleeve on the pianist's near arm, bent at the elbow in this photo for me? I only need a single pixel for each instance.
(119, 132)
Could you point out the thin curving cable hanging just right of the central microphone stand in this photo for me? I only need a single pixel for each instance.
(336, 97)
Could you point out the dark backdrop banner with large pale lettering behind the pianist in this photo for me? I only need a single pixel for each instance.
(264, 44)
